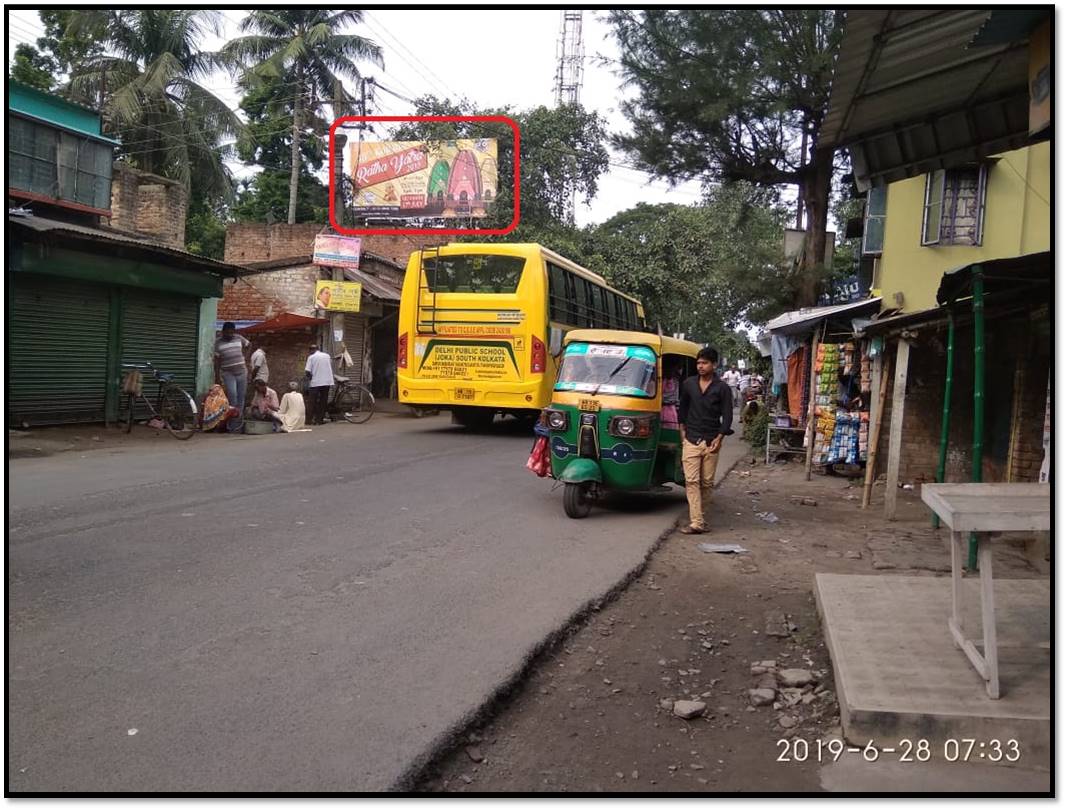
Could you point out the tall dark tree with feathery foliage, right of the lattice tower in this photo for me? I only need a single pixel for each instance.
(730, 95)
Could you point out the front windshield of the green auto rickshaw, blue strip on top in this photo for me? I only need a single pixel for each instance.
(601, 368)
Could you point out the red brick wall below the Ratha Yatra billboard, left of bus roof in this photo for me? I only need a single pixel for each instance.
(251, 242)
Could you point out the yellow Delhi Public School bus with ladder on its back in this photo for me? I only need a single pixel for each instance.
(481, 327)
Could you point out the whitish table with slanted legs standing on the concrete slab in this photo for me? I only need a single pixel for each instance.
(982, 509)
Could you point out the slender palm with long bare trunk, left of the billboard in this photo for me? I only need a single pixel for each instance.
(303, 45)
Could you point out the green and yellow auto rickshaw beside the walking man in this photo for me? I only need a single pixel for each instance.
(608, 427)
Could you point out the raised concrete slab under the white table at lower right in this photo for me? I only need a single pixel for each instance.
(899, 674)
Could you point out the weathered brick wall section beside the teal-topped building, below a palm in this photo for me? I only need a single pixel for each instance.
(149, 205)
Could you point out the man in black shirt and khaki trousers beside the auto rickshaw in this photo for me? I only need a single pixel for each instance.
(706, 417)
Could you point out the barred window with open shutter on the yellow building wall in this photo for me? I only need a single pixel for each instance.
(955, 206)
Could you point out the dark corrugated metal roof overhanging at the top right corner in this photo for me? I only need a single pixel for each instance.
(911, 94)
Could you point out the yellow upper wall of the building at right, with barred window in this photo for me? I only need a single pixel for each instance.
(946, 220)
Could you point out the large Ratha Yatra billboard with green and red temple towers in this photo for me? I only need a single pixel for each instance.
(425, 179)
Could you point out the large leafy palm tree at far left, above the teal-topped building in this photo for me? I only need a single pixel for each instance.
(149, 84)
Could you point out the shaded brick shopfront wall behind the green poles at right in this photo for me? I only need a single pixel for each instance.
(1010, 343)
